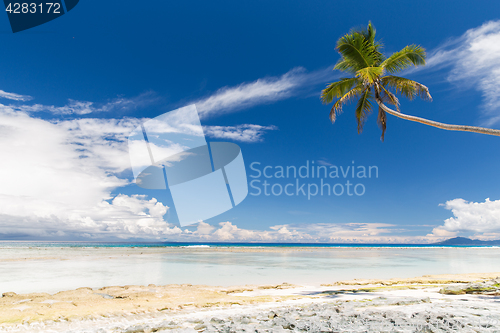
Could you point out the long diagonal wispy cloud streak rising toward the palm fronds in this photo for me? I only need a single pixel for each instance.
(262, 91)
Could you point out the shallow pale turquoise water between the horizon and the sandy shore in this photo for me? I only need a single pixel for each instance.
(55, 266)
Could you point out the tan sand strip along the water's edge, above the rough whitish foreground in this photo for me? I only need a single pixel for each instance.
(114, 302)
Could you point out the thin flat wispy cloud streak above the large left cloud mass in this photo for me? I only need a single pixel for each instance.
(85, 107)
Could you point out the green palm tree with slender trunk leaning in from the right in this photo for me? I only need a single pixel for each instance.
(373, 79)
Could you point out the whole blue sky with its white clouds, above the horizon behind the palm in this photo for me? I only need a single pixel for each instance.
(82, 82)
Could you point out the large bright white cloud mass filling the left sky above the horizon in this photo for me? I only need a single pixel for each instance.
(57, 179)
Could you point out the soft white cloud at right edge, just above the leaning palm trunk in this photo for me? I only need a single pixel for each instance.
(475, 63)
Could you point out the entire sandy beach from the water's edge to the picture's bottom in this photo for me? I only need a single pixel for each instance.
(264, 308)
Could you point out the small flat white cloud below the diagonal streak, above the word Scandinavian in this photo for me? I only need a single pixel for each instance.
(243, 133)
